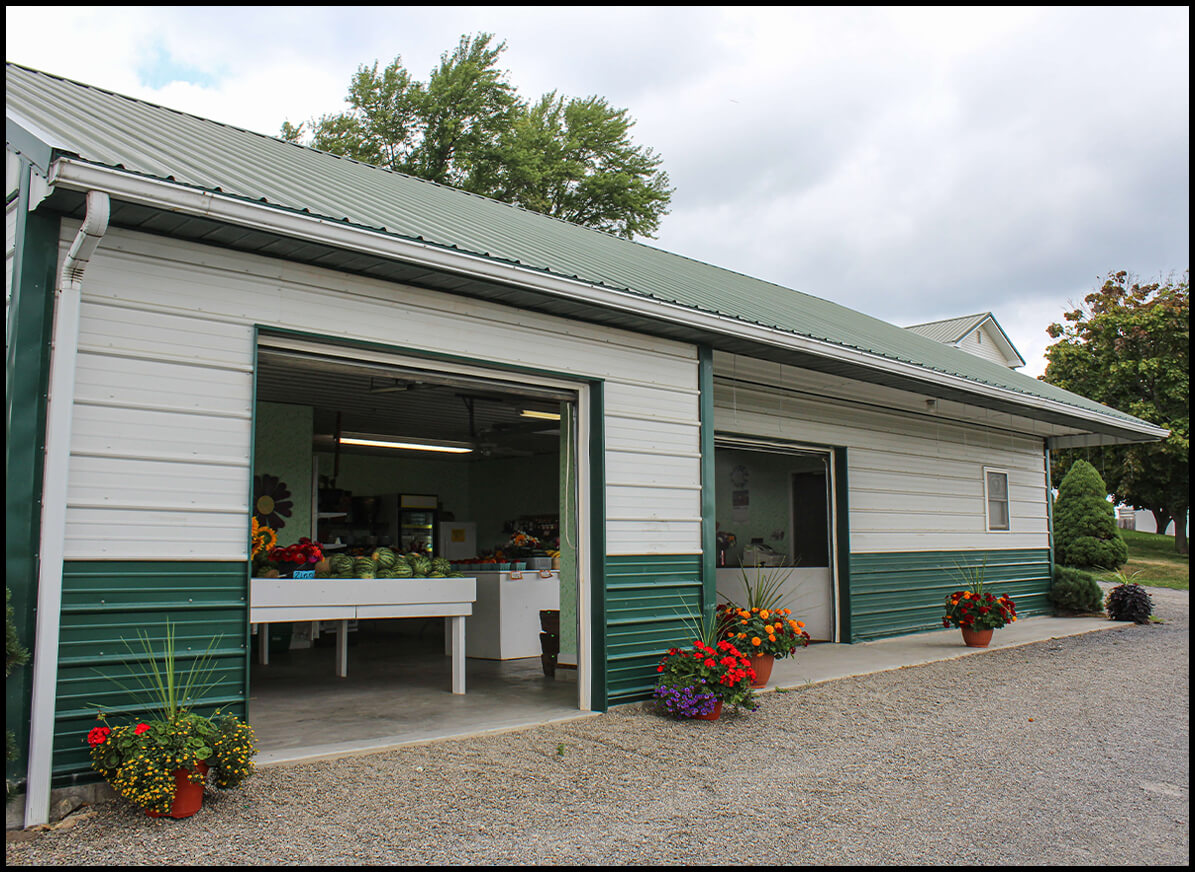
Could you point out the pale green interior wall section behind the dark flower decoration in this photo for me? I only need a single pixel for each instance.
(283, 447)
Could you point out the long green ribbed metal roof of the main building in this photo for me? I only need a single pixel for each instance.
(118, 132)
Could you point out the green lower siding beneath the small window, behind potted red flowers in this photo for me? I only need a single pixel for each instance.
(893, 594)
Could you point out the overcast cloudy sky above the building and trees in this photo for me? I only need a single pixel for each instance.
(915, 164)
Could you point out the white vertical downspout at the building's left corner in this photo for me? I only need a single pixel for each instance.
(60, 408)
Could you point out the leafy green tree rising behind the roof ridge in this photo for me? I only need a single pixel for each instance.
(467, 127)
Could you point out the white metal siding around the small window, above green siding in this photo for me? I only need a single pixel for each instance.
(916, 481)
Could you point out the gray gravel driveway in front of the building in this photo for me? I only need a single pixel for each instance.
(1067, 752)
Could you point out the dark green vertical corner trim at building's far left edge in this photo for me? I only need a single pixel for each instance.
(27, 379)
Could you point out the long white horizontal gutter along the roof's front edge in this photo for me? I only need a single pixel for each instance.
(174, 198)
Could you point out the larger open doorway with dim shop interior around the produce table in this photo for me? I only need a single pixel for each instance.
(375, 456)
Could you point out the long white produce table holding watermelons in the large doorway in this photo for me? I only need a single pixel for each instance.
(283, 600)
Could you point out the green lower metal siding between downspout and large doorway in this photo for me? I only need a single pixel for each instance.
(107, 604)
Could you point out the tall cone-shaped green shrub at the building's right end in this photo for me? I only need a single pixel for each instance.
(1086, 524)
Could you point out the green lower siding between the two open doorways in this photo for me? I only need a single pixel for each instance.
(648, 600)
